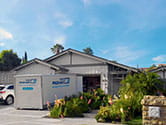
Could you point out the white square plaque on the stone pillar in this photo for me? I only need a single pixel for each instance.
(154, 112)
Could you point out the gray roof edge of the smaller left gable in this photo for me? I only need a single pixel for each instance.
(36, 60)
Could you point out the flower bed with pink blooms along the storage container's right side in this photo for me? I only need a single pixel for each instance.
(75, 106)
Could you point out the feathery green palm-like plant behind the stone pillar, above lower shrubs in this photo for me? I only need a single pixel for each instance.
(147, 83)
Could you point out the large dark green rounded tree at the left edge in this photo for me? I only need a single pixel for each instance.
(8, 60)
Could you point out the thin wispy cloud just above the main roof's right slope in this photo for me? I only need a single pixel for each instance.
(126, 54)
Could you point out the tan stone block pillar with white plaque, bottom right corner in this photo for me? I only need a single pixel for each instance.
(149, 102)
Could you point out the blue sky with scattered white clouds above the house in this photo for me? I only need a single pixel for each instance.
(132, 32)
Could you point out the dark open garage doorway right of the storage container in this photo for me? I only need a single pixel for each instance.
(91, 82)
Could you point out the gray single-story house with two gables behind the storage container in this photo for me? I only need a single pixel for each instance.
(96, 72)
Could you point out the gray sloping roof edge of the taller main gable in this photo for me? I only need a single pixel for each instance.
(93, 57)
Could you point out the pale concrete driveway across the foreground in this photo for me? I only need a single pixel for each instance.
(10, 116)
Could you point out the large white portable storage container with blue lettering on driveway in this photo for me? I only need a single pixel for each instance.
(33, 91)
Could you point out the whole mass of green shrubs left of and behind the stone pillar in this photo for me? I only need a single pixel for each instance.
(131, 93)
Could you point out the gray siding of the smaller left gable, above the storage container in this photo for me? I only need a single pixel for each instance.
(35, 69)
